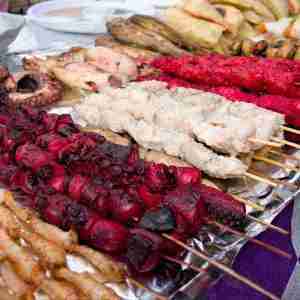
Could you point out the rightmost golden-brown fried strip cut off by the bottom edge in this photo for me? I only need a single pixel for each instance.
(87, 285)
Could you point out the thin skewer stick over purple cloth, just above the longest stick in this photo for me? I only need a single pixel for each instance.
(264, 245)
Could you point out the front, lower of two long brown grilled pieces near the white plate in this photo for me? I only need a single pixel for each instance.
(127, 32)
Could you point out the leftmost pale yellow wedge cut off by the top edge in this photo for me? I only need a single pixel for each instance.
(204, 10)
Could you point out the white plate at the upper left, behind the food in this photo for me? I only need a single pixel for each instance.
(83, 16)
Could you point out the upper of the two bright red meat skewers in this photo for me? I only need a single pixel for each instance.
(275, 77)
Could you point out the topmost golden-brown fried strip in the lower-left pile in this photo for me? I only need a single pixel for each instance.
(47, 231)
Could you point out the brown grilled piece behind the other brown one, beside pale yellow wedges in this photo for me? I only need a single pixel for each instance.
(159, 27)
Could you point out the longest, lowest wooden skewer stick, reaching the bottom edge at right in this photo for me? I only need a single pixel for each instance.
(222, 267)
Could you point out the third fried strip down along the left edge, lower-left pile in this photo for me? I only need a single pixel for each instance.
(23, 261)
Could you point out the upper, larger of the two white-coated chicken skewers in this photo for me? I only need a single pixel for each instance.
(225, 126)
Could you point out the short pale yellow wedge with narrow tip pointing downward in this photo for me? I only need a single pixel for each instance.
(233, 17)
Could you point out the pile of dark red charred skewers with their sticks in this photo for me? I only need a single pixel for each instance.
(117, 202)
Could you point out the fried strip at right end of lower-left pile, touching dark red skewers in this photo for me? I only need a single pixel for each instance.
(112, 271)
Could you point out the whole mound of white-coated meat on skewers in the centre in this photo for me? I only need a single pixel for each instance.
(175, 121)
